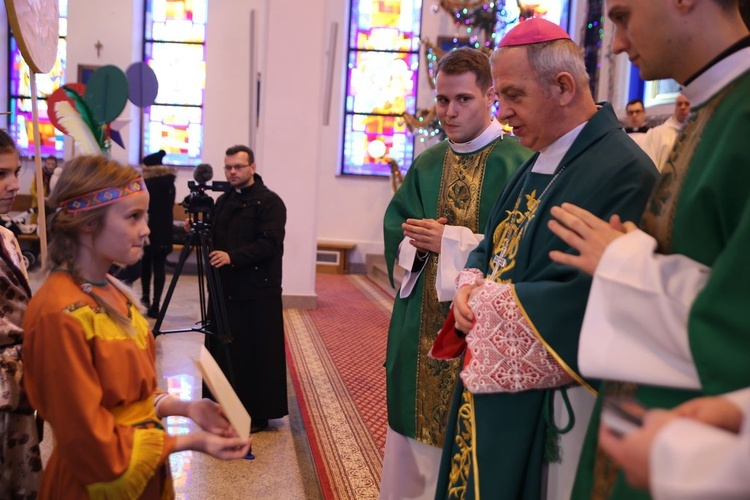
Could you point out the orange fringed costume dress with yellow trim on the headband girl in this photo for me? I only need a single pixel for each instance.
(94, 382)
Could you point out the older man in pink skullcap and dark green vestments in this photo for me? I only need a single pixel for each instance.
(517, 313)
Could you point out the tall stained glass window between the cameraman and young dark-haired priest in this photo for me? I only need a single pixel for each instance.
(383, 63)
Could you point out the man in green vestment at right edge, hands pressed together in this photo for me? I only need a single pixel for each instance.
(667, 313)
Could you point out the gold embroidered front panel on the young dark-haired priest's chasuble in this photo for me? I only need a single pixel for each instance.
(458, 200)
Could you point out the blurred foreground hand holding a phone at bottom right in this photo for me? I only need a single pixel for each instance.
(632, 452)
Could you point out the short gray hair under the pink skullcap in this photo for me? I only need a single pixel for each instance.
(547, 59)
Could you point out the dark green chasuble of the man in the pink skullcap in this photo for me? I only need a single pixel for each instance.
(495, 442)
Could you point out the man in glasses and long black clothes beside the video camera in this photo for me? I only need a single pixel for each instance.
(248, 234)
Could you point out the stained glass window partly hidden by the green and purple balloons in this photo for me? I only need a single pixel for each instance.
(174, 47)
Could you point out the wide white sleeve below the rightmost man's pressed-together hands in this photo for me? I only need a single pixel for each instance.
(635, 327)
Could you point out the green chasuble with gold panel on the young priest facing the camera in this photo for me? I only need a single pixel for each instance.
(462, 188)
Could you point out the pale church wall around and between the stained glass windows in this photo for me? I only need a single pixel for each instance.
(297, 155)
